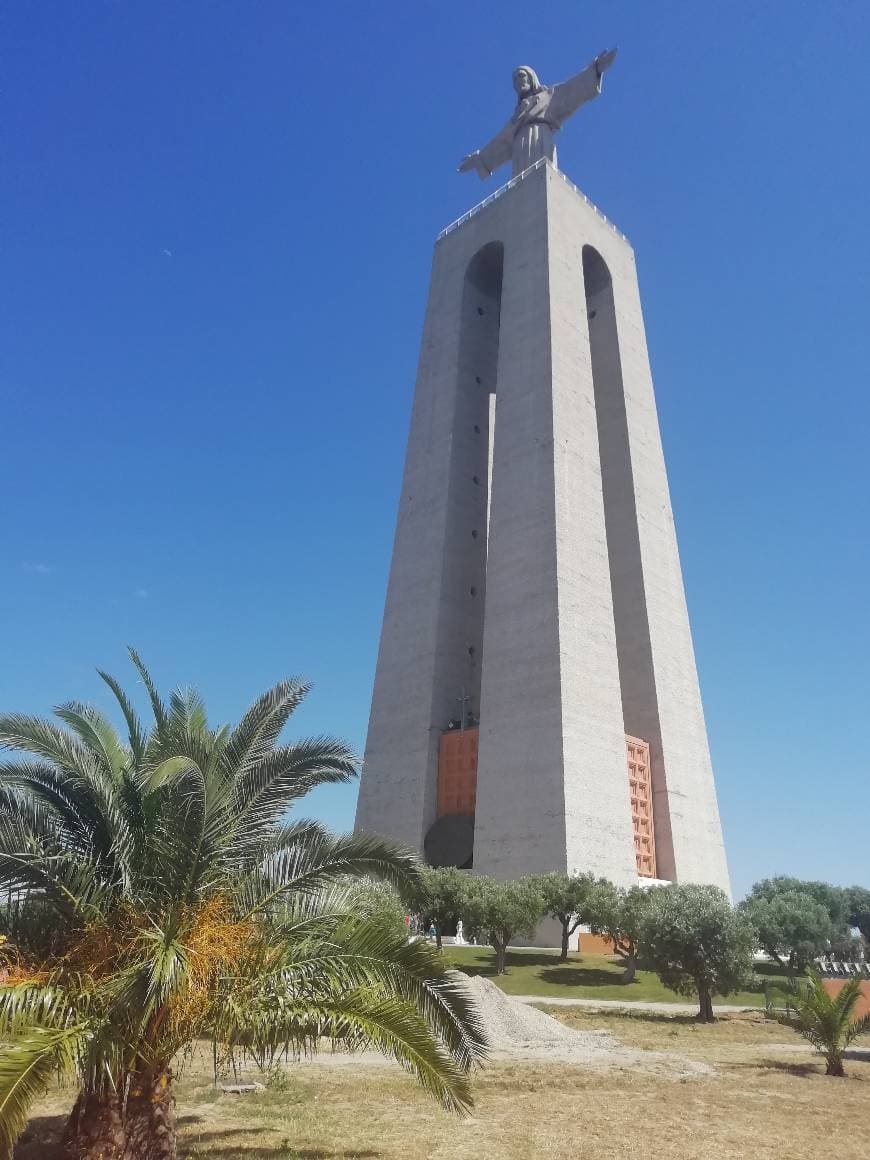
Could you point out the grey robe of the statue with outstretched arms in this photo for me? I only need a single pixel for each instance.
(530, 134)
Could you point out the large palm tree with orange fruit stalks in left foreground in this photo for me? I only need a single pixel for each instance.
(184, 905)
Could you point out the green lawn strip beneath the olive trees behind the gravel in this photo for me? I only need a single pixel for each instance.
(539, 973)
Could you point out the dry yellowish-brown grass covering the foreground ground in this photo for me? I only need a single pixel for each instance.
(768, 1101)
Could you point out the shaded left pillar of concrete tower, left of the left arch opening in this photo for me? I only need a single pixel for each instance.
(432, 637)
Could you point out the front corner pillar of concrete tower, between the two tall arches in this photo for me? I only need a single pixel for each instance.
(553, 787)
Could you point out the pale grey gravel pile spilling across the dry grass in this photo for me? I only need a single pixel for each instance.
(519, 1032)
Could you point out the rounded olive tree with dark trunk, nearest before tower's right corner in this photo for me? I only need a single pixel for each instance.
(698, 944)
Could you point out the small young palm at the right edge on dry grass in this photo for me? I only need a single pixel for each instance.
(825, 1021)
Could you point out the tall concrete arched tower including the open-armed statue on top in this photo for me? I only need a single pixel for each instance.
(536, 704)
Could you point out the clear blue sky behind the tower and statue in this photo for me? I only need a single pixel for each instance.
(217, 224)
